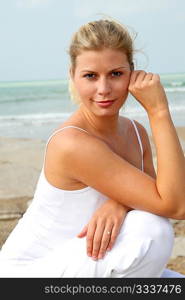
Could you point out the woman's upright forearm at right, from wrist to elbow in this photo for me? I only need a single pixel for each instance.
(170, 179)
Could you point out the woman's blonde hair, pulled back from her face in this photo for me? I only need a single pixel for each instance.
(98, 35)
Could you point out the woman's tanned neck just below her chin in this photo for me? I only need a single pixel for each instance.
(103, 125)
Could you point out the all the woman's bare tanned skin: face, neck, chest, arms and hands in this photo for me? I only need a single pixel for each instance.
(106, 75)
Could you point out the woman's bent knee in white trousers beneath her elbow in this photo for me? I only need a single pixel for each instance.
(152, 238)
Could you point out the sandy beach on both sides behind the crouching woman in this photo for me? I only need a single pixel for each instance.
(21, 161)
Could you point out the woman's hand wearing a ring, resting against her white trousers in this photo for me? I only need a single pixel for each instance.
(103, 228)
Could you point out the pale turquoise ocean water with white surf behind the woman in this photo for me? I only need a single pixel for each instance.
(33, 109)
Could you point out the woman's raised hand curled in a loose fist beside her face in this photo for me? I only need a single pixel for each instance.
(148, 90)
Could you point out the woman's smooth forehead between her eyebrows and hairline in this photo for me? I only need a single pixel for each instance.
(106, 58)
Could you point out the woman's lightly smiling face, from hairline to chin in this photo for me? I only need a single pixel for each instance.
(101, 79)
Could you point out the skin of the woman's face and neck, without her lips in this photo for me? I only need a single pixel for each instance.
(97, 79)
